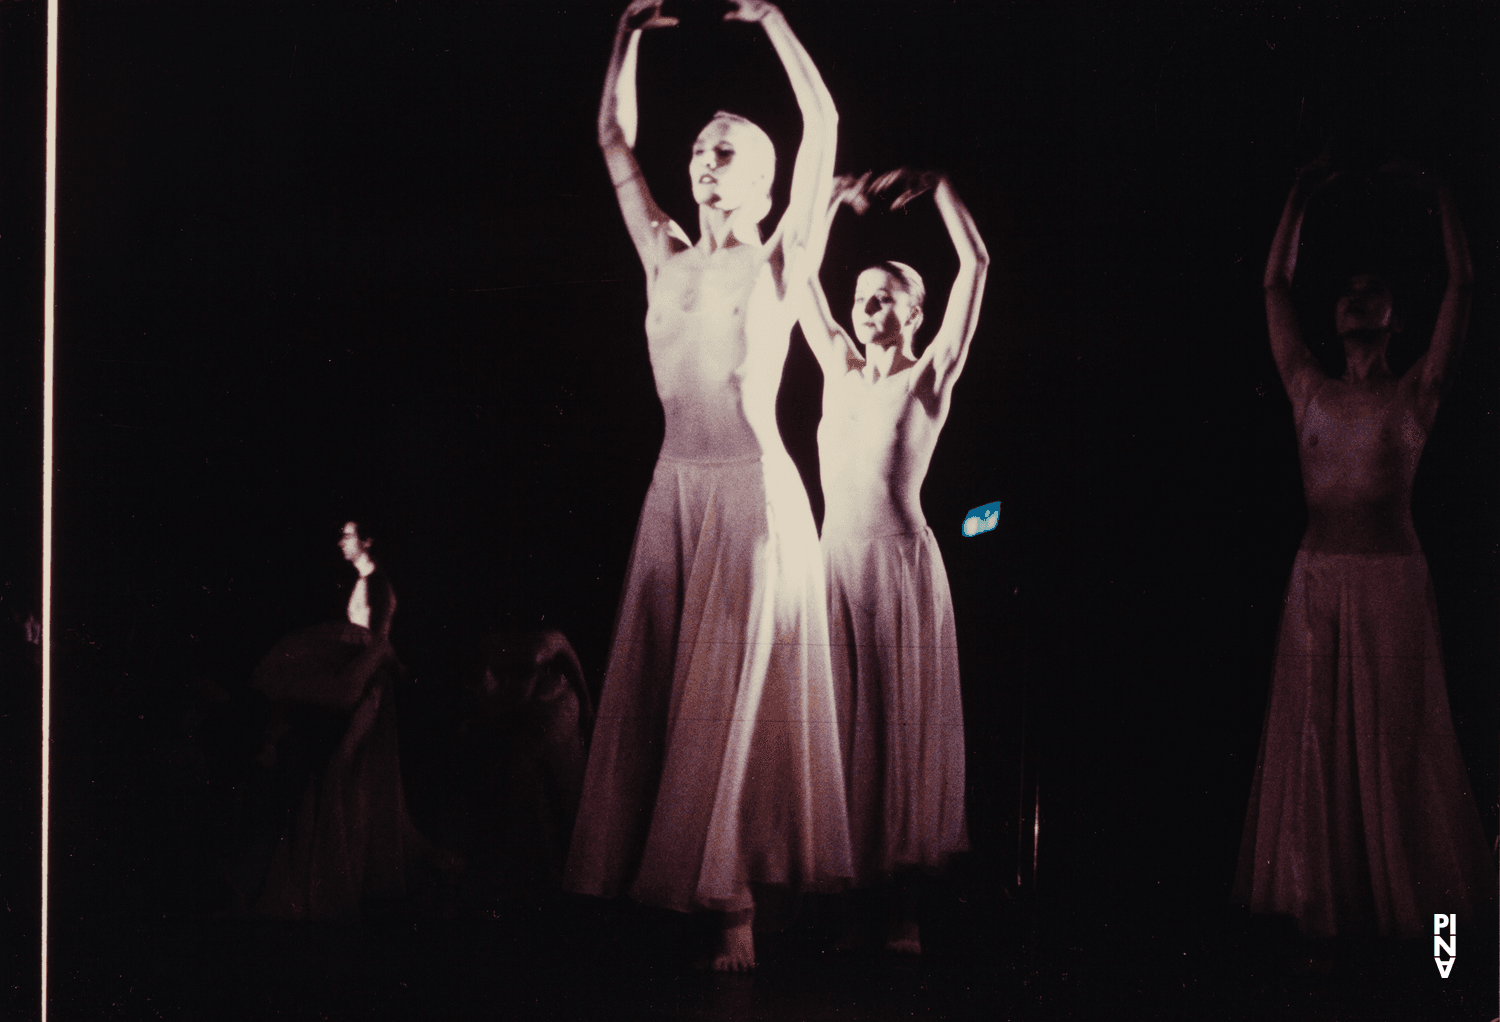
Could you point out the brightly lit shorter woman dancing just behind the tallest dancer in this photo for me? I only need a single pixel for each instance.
(892, 627)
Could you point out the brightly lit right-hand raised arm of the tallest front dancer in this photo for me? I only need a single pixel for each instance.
(803, 224)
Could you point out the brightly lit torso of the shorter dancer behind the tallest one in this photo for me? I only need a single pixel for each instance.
(875, 443)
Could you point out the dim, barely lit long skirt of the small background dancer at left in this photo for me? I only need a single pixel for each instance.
(343, 838)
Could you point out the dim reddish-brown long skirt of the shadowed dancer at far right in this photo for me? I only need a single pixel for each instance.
(1361, 816)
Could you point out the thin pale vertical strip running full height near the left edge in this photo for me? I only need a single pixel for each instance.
(49, 247)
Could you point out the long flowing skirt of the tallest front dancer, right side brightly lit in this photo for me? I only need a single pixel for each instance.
(716, 751)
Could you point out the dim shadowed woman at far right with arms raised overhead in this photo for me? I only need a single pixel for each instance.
(1361, 817)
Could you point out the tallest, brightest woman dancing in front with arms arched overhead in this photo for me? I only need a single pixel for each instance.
(716, 753)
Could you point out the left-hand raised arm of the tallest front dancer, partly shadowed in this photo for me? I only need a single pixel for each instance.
(617, 133)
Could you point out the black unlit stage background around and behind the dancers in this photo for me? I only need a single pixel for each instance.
(326, 262)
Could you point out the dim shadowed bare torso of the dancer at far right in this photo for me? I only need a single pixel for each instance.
(1360, 452)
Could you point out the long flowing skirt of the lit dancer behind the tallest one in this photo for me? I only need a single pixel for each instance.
(901, 712)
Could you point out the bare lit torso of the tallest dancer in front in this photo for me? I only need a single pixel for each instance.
(718, 332)
